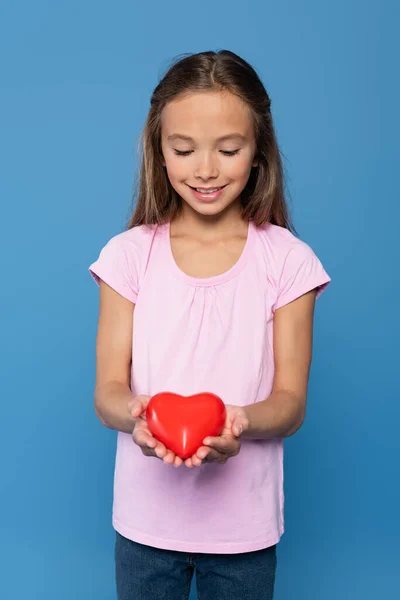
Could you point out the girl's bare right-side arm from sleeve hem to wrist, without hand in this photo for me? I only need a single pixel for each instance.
(283, 412)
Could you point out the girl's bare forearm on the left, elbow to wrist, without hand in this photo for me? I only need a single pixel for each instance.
(111, 406)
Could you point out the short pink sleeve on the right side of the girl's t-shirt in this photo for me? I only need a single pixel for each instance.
(302, 272)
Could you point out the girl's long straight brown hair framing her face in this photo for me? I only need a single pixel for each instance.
(263, 198)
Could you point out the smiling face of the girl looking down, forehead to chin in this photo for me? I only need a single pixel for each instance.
(209, 147)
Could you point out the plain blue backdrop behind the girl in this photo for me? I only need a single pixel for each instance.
(75, 84)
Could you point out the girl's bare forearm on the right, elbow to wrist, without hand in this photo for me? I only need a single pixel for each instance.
(279, 416)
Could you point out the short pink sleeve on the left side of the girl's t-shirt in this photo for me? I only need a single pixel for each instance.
(117, 266)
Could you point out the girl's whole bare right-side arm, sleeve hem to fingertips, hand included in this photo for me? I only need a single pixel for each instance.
(282, 413)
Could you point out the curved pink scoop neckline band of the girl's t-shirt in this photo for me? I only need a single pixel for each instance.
(215, 279)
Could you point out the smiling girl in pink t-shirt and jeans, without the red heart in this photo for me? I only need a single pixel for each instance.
(207, 290)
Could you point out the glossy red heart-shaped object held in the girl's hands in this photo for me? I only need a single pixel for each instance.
(182, 422)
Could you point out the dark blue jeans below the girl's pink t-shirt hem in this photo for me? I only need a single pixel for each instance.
(146, 573)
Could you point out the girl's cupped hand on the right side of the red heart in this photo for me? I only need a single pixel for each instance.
(227, 444)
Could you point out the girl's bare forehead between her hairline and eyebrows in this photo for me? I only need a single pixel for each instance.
(206, 113)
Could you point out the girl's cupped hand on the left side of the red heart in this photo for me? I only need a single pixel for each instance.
(142, 436)
